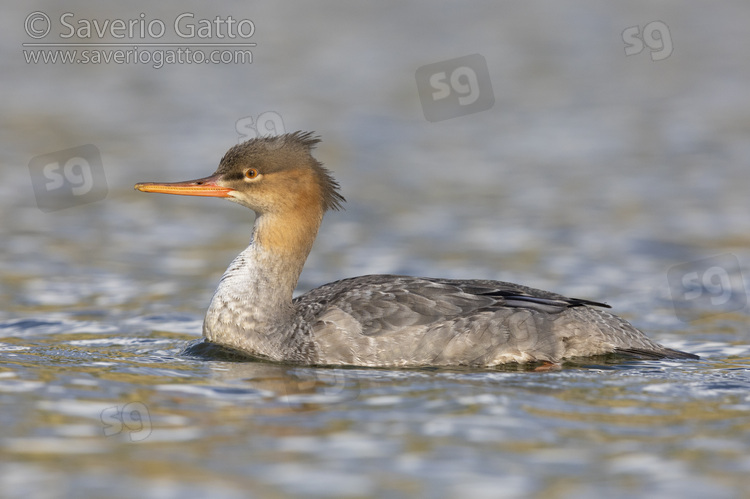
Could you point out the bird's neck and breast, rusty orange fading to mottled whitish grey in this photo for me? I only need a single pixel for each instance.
(252, 309)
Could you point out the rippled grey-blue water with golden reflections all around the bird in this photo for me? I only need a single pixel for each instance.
(605, 145)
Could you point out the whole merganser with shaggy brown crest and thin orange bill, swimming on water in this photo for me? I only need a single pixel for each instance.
(374, 320)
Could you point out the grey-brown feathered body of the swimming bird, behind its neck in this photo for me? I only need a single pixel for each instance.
(411, 321)
